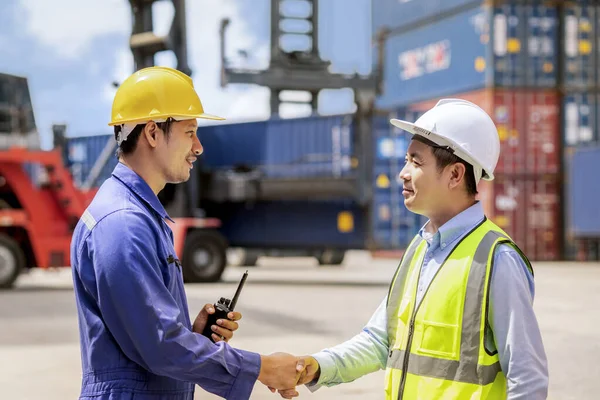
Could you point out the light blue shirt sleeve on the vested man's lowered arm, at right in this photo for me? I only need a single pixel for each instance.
(516, 333)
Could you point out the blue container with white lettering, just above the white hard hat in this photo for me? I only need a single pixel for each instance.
(462, 53)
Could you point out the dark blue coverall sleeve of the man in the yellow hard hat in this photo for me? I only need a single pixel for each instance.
(145, 319)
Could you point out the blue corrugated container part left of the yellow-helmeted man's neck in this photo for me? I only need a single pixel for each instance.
(82, 153)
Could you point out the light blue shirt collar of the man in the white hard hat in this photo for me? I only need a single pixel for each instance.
(454, 228)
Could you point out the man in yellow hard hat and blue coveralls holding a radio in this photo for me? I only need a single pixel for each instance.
(137, 339)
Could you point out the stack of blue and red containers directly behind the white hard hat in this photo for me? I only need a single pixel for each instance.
(503, 57)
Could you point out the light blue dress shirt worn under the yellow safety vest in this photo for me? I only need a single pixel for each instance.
(516, 334)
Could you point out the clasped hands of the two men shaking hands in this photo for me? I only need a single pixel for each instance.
(283, 372)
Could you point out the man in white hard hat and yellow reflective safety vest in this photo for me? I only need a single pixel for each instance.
(457, 322)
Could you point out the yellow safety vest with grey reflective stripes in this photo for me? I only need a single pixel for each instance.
(445, 334)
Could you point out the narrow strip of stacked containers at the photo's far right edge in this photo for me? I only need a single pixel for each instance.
(580, 120)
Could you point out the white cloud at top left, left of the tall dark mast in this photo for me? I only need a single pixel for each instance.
(68, 26)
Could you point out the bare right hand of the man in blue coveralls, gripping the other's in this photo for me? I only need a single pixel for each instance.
(280, 370)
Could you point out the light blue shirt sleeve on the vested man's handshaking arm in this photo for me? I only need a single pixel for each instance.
(363, 354)
